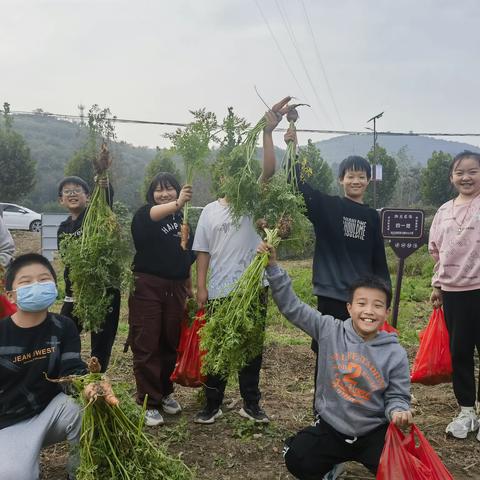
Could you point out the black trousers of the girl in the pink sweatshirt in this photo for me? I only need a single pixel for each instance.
(462, 316)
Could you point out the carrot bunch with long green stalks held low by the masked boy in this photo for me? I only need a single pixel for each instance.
(113, 444)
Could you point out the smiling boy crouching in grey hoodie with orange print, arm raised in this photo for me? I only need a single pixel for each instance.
(363, 379)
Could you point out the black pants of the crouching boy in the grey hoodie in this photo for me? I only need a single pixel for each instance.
(315, 450)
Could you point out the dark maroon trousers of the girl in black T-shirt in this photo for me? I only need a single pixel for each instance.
(156, 309)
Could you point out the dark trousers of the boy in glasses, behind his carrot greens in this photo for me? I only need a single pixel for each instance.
(101, 343)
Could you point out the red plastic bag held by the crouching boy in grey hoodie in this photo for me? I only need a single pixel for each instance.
(409, 457)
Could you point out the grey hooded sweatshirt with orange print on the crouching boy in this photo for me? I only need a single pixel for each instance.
(359, 383)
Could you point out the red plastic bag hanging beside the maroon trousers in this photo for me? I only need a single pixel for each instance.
(187, 370)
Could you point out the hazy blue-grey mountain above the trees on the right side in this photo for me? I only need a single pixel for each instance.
(334, 150)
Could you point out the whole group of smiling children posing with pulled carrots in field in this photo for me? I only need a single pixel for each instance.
(361, 374)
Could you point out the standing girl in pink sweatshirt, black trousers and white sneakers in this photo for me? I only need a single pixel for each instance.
(454, 243)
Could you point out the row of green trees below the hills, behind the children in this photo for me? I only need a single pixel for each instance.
(404, 183)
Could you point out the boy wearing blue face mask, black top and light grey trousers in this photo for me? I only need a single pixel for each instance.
(35, 343)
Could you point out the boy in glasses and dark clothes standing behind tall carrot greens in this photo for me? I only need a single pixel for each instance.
(73, 194)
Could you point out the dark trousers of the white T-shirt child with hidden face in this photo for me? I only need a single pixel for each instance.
(248, 377)
